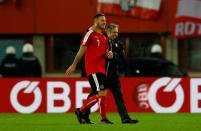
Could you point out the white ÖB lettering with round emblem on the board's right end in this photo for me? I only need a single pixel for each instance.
(146, 96)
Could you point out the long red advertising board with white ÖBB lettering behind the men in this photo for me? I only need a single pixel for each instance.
(59, 95)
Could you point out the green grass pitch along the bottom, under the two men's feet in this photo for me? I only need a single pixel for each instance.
(68, 122)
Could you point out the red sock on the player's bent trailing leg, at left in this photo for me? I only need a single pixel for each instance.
(89, 103)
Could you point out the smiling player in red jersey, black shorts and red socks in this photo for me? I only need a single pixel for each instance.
(95, 47)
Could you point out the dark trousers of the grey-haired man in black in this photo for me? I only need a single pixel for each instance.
(115, 87)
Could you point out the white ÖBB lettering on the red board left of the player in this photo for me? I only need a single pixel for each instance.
(29, 87)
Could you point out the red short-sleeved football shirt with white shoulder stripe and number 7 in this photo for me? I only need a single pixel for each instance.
(97, 44)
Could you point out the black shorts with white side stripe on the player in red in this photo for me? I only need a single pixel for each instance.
(97, 82)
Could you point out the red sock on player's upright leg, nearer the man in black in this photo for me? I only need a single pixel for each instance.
(102, 105)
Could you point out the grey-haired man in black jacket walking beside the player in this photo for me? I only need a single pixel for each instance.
(113, 69)
